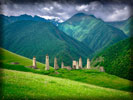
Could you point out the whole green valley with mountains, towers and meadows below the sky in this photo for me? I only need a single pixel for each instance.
(42, 59)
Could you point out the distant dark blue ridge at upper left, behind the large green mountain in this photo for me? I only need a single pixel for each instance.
(11, 19)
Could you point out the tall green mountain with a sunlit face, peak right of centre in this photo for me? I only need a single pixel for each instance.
(92, 31)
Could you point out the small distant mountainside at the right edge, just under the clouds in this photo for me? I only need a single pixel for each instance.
(126, 26)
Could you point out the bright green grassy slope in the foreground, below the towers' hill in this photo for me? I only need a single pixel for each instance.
(24, 85)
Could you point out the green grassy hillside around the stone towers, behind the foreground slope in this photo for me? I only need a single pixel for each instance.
(93, 77)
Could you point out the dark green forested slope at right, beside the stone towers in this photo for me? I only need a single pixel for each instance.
(116, 59)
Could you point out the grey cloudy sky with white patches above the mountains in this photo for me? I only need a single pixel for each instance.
(63, 11)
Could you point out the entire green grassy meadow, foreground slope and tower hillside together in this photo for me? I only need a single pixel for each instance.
(19, 81)
